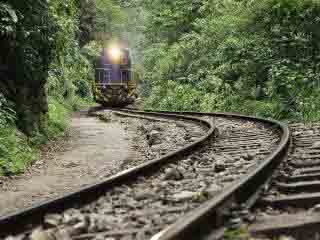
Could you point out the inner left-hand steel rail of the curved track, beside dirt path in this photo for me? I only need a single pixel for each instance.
(21, 220)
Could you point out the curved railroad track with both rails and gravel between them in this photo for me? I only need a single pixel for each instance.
(185, 194)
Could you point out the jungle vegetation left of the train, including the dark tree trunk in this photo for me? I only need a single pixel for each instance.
(46, 66)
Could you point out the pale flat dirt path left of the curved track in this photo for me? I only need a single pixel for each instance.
(94, 150)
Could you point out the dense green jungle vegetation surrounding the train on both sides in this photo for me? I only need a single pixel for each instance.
(248, 56)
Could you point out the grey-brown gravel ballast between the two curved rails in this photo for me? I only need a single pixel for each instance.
(142, 208)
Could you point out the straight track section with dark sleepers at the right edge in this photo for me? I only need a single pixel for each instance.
(290, 206)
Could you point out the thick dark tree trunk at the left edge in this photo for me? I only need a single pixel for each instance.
(24, 65)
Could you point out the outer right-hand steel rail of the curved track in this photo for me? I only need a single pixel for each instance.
(210, 217)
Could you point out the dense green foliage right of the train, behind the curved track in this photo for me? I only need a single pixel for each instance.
(243, 56)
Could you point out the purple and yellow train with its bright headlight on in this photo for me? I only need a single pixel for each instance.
(114, 84)
